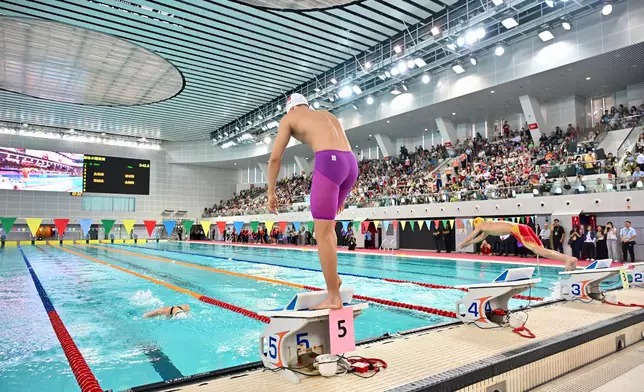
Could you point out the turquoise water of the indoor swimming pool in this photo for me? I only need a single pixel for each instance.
(101, 306)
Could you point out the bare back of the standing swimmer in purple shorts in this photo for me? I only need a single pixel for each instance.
(319, 129)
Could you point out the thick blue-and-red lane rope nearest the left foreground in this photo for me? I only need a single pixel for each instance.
(84, 376)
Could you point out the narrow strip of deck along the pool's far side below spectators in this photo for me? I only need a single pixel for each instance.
(411, 253)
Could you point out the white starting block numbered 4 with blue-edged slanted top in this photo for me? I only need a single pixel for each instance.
(488, 302)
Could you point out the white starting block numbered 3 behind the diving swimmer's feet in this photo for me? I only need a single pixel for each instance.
(584, 284)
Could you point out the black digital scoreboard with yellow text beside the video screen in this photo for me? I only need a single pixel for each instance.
(103, 174)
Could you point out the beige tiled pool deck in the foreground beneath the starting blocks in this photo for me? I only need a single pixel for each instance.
(422, 359)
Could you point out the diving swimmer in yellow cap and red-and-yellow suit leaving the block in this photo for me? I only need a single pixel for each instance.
(523, 233)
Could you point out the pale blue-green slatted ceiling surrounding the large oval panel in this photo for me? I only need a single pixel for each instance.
(235, 58)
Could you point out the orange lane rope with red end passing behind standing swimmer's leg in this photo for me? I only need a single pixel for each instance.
(396, 304)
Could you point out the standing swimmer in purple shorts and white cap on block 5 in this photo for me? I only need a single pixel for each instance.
(335, 172)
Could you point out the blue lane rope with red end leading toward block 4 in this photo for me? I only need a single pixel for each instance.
(421, 284)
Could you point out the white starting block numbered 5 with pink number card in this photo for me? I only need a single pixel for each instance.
(296, 335)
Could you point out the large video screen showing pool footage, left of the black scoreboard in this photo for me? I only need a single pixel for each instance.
(37, 170)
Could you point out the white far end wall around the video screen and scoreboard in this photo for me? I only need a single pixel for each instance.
(175, 187)
